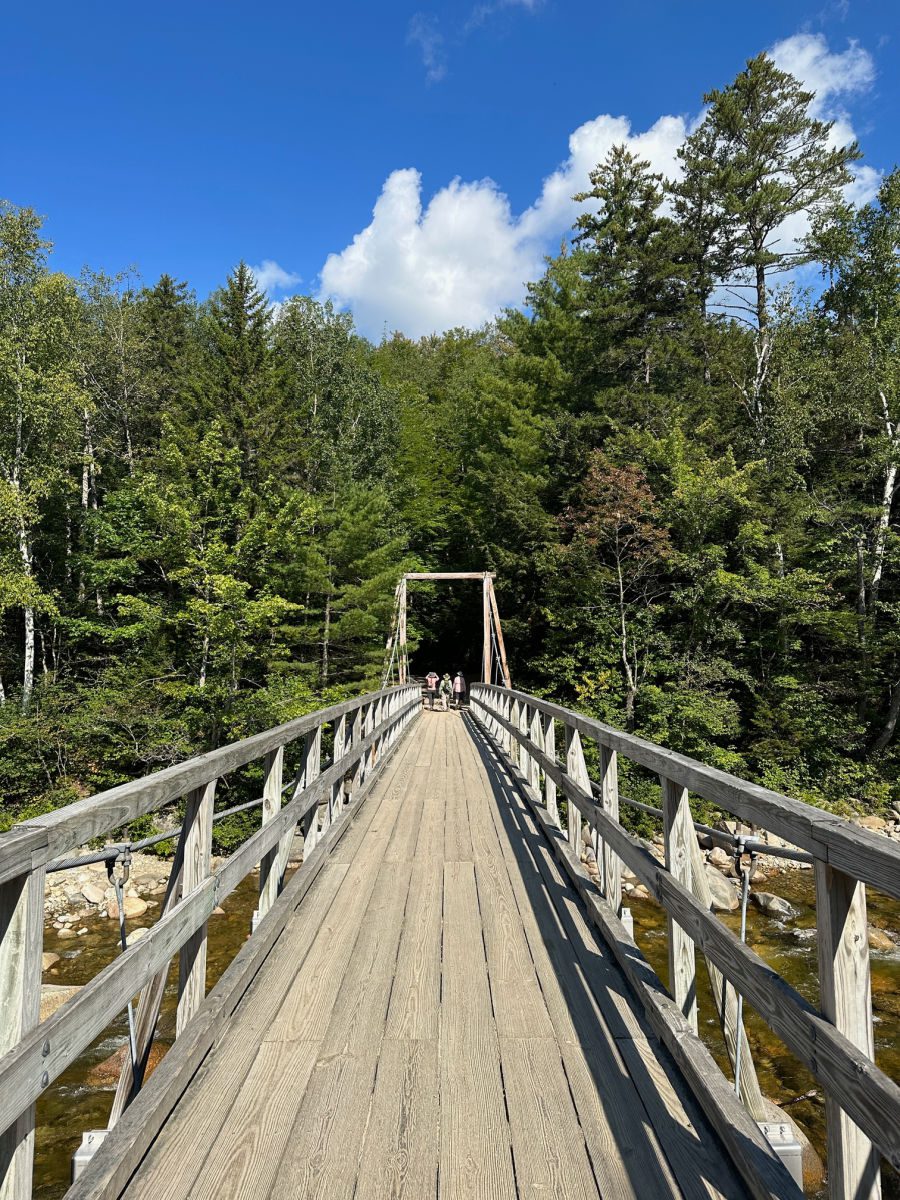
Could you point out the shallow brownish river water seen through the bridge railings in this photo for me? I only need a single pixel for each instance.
(82, 1097)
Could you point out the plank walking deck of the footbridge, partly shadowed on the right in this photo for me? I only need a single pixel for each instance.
(437, 1021)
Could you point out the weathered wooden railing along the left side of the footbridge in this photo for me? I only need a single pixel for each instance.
(365, 730)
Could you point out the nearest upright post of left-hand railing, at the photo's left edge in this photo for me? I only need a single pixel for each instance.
(21, 949)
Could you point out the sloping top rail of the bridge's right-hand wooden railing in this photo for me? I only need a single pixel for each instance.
(861, 854)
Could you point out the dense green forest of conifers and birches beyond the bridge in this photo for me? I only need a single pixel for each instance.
(681, 459)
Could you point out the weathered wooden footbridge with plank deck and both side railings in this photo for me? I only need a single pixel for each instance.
(442, 1001)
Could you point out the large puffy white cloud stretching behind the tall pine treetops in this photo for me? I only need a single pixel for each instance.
(463, 256)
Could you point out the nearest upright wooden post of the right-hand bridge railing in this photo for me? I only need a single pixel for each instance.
(847, 1001)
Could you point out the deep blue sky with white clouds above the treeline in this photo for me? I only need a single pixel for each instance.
(411, 161)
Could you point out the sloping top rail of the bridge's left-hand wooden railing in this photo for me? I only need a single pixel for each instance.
(47, 837)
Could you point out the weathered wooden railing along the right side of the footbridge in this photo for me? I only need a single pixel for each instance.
(836, 1043)
